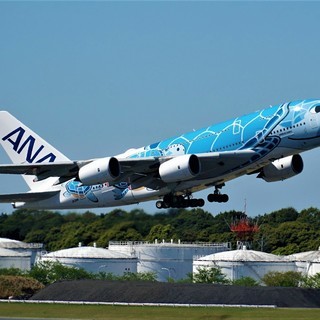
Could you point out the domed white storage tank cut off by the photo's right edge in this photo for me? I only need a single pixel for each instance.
(307, 262)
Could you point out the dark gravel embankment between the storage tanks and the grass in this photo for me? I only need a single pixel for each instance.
(177, 293)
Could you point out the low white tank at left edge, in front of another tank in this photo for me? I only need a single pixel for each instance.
(13, 259)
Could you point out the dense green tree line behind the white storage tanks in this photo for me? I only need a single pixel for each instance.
(284, 231)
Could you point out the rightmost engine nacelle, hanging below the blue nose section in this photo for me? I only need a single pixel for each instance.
(282, 169)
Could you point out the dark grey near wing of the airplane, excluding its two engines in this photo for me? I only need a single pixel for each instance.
(138, 171)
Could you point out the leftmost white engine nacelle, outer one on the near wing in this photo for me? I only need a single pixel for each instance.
(100, 171)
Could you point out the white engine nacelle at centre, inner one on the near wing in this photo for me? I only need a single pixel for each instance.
(180, 168)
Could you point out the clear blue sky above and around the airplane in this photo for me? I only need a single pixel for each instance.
(98, 78)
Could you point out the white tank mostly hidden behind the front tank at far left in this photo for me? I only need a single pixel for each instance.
(33, 248)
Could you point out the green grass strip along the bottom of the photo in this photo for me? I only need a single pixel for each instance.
(154, 313)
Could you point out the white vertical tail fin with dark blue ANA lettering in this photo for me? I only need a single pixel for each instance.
(24, 146)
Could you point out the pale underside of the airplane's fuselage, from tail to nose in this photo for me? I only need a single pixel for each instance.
(110, 196)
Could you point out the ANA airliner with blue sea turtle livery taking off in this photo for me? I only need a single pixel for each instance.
(266, 143)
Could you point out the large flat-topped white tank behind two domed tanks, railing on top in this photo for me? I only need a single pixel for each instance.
(167, 260)
